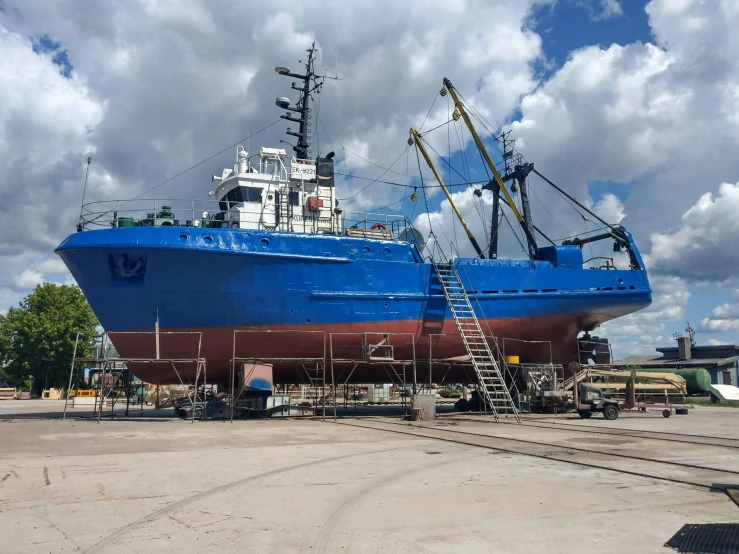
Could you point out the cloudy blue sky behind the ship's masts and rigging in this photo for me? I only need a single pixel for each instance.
(631, 106)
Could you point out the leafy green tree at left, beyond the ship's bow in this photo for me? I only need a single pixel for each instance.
(37, 338)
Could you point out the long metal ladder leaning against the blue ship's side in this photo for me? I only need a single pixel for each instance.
(487, 369)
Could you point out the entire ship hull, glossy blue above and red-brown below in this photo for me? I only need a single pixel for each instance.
(215, 281)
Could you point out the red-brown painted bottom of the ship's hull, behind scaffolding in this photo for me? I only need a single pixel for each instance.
(288, 349)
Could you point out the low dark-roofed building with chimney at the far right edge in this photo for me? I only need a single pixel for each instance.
(722, 361)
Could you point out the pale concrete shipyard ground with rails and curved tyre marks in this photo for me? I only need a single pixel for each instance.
(156, 484)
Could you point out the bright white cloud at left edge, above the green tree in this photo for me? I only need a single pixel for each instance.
(46, 126)
